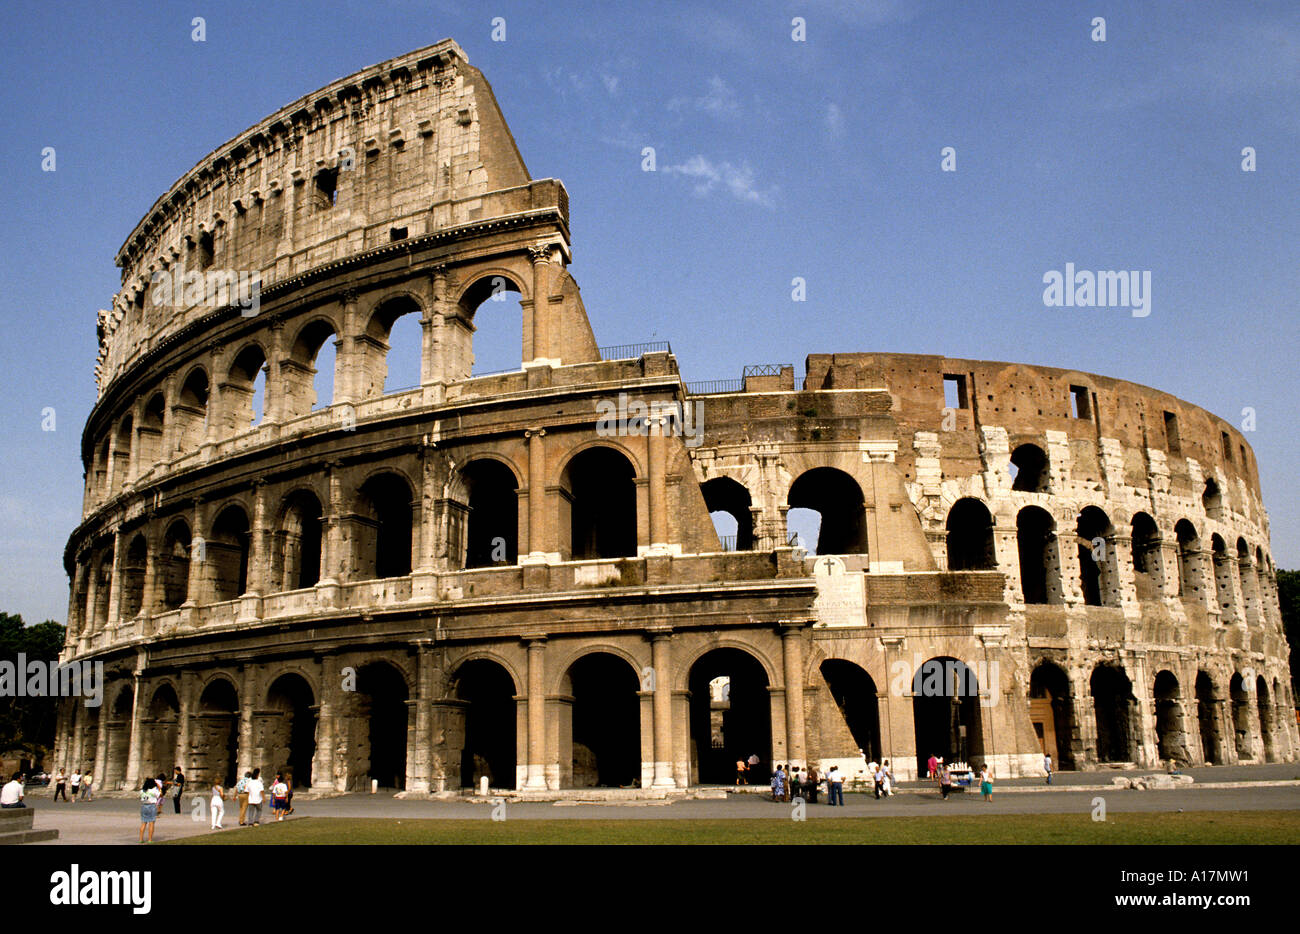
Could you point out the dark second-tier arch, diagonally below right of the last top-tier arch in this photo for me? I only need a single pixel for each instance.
(599, 494)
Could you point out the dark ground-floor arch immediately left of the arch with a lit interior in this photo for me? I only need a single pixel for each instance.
(606, 727)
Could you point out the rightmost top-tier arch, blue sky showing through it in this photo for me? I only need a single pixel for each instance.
(488, 335)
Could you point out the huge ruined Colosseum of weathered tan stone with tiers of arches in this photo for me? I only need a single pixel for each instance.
(582, 572)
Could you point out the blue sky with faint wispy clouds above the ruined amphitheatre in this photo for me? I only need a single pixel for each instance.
(818, 159)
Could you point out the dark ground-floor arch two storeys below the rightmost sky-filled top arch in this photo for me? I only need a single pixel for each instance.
(488, 694)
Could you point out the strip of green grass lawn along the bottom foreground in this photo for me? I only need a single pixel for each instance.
(1221, 827)
